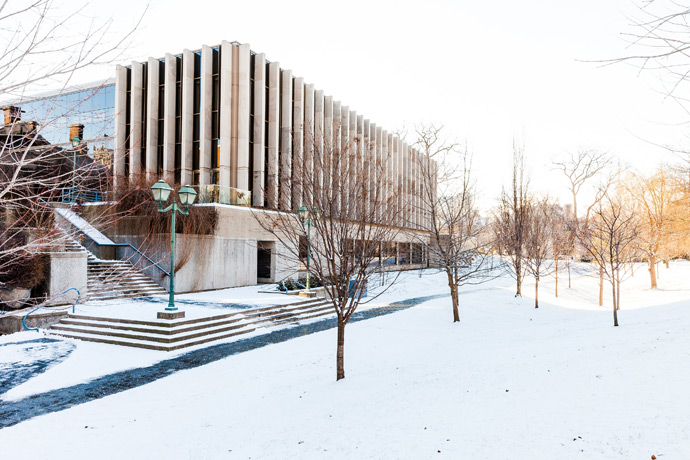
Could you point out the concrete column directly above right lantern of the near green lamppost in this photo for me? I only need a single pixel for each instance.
(187, 135)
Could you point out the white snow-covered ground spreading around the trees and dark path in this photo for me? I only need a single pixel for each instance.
(508, 382)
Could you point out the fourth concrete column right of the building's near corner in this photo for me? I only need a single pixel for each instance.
(286, 140)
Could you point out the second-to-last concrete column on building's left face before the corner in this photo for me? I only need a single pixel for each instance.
(205, 109)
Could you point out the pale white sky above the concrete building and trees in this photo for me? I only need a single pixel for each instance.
(487, 71)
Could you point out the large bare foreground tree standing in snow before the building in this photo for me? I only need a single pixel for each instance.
(346, 239)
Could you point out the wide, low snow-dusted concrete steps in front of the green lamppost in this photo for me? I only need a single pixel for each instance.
(169, 335)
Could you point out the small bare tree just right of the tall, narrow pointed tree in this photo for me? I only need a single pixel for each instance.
(538, 242)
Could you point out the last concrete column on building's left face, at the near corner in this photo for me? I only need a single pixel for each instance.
(226, 115)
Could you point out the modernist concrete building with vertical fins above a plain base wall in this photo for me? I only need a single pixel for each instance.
(242, 130)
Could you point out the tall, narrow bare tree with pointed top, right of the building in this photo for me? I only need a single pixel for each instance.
(512, 218)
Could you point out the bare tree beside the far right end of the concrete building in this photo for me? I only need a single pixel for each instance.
(450, 215)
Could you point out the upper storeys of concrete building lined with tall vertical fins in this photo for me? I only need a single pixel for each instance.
(225, 116)
